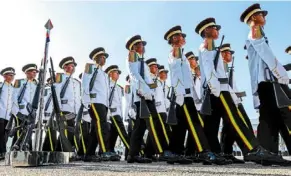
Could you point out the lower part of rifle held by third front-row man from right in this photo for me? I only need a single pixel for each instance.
(172, 119)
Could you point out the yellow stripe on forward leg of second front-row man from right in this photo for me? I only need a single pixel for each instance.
(236, 127)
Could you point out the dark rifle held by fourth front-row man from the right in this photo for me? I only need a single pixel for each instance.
(144, 112)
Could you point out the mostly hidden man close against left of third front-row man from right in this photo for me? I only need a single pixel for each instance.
(163, 76)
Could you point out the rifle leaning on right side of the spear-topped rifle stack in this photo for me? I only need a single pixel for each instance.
(65, 143)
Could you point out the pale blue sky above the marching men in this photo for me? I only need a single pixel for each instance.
(79, 27)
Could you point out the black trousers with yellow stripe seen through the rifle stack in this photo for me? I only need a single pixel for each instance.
(50, 140)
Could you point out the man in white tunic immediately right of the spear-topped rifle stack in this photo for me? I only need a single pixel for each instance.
(68, 90)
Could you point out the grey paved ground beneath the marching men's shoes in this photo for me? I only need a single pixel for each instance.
(155, 169)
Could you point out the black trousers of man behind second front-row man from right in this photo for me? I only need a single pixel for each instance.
(227, 136)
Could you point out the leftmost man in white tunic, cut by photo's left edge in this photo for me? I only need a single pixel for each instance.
(6, 92)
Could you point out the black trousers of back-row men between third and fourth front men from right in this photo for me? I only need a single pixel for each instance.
(163, 130)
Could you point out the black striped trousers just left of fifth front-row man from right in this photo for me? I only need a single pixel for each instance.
(85, 129)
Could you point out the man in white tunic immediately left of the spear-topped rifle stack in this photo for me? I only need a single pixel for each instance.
(24, 90)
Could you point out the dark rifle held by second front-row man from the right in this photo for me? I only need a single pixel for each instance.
(206, 104)
